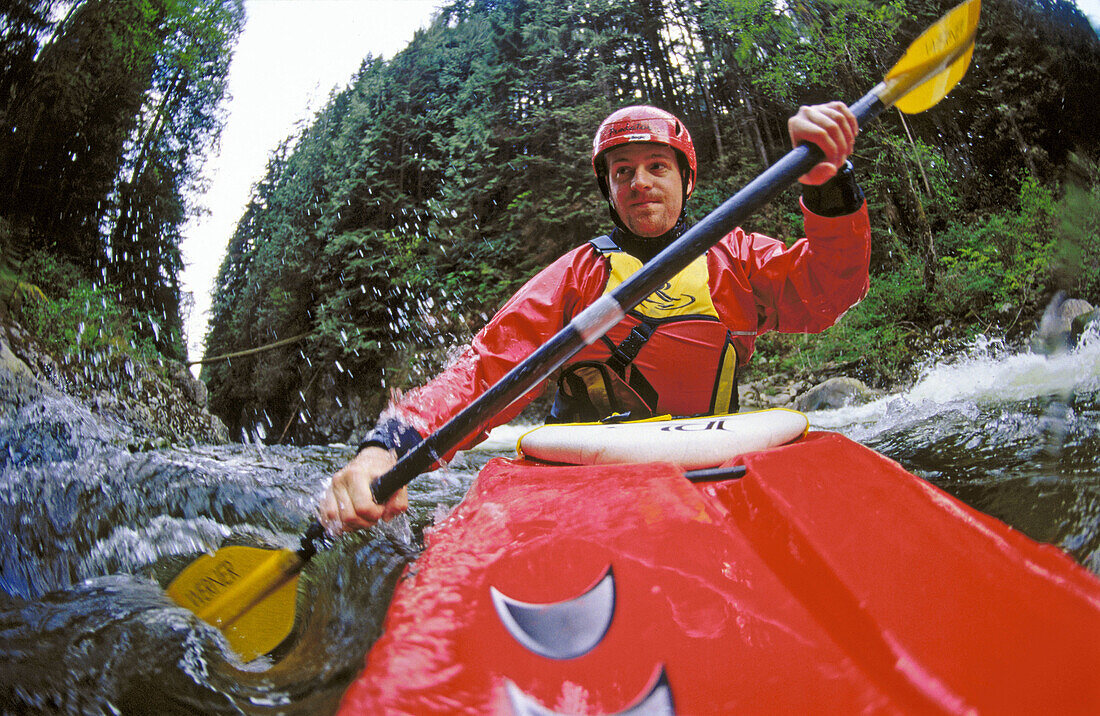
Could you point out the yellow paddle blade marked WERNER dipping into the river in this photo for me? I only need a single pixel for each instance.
(249, 593)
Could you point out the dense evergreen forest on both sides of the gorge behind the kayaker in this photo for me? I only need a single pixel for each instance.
(420, 197)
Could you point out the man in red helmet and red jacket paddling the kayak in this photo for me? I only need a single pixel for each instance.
(679, 351)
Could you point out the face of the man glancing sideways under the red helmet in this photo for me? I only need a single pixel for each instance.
(646, 189)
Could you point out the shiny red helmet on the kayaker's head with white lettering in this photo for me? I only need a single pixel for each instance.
(644, 124)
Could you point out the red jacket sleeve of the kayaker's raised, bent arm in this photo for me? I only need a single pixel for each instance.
(758, 284)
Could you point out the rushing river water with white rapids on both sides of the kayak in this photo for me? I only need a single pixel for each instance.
(92, 532)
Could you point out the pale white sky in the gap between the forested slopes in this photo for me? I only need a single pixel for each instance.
(290, 57)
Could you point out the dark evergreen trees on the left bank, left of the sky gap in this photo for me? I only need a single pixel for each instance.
(108, 111)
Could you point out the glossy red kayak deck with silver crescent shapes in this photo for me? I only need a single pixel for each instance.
(827, 579)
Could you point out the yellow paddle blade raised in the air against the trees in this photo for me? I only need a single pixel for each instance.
(934, 63)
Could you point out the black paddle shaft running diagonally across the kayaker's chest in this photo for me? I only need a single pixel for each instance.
(609, 311)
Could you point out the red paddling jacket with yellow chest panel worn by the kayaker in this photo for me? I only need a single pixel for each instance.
(678, 351)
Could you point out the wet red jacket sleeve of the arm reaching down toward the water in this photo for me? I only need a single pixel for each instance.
(535, 314)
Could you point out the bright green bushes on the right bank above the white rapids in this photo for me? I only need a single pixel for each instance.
(993, 271)
